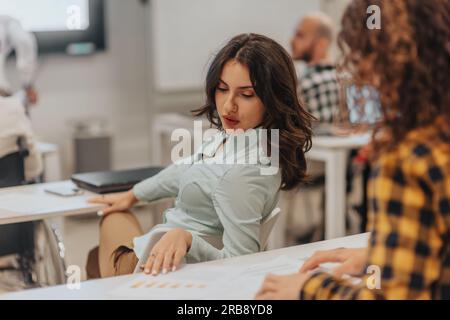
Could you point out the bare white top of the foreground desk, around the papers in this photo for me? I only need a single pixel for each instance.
(98, 289)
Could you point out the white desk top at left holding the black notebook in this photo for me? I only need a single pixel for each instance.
(41, 204)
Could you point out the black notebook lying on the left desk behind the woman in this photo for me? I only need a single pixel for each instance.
(113, 181)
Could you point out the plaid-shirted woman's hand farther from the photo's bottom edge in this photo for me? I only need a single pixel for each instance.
(353, 261)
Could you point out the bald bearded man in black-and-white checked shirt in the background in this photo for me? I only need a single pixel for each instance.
(318, 85)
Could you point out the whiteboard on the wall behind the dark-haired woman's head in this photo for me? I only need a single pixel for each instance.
(185, 34)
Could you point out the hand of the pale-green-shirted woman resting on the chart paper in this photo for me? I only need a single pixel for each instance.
(168, 252)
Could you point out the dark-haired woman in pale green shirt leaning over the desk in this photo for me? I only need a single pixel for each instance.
(251, 85)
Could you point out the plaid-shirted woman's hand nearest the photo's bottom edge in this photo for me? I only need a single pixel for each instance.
(282, 287)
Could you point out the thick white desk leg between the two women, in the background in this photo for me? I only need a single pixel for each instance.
(335, 197)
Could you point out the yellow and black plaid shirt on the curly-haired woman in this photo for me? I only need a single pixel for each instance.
(409, 217)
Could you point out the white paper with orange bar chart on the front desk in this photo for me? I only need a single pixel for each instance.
(205, 282)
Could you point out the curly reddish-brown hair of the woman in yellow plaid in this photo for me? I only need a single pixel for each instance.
(407, 61)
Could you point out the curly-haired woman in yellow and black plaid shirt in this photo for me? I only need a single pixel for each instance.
(407, 60)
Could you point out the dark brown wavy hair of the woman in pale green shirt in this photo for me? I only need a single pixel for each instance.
(273, 76)
